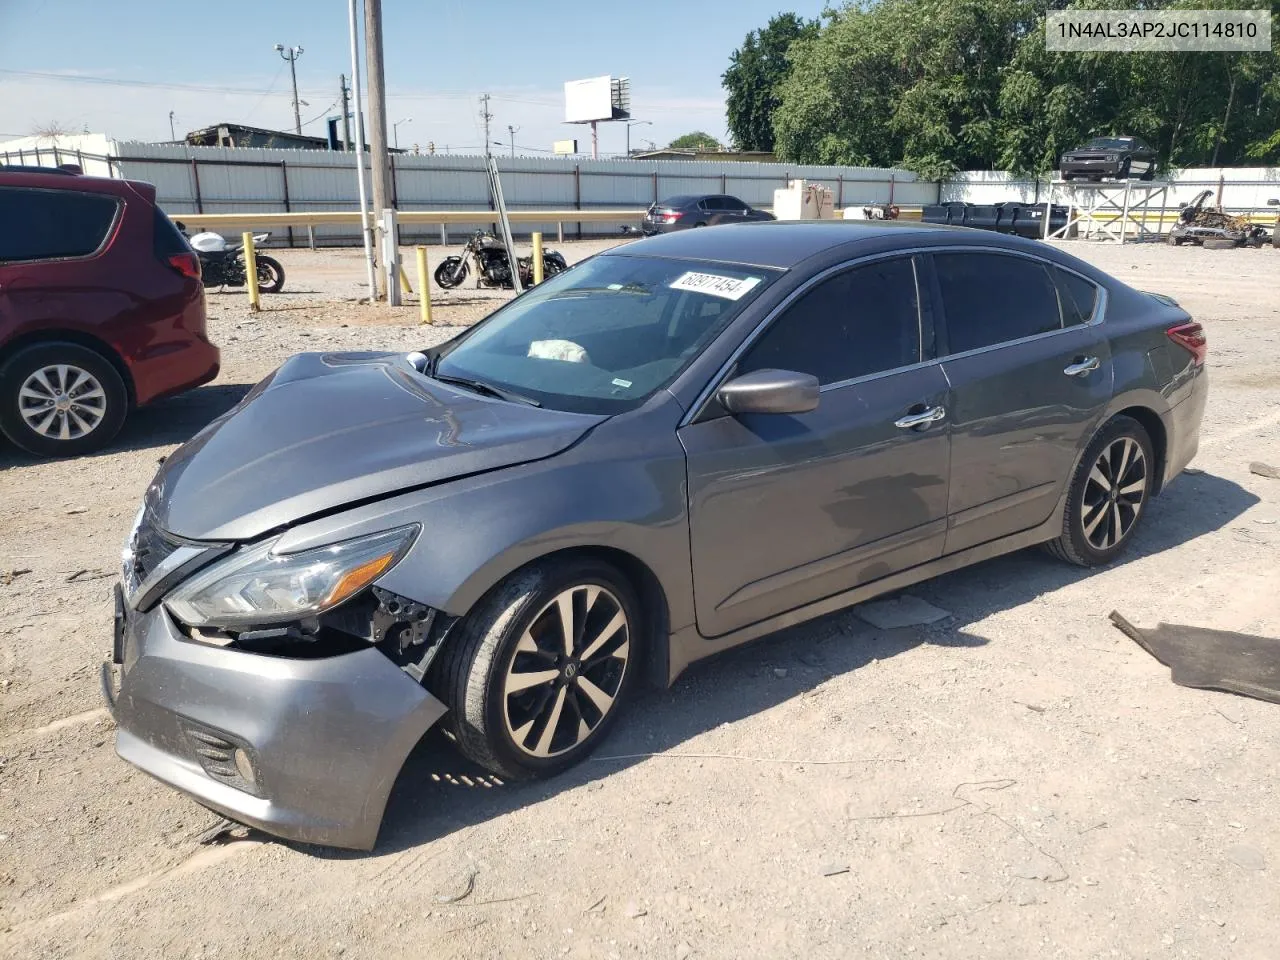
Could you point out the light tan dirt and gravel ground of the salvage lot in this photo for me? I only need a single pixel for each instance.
(1018, 780)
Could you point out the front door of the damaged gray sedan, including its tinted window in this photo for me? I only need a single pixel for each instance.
(789, 510)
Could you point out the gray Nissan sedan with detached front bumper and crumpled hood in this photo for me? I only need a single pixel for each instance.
(670, 450)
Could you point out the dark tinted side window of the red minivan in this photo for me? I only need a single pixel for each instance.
(53, 225)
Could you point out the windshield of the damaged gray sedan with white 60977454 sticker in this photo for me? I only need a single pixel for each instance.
(601, 339)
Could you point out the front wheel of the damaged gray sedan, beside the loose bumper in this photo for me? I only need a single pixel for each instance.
(542, 668)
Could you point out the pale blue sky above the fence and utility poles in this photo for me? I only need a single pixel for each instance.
(214, 62)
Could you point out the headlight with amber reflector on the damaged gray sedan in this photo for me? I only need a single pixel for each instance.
(257, 587)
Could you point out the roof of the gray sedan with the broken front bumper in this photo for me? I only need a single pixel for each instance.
(785, 244)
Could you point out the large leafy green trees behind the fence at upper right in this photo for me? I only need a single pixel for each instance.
(949, 85)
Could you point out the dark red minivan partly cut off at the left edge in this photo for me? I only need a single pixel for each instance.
(102, 309)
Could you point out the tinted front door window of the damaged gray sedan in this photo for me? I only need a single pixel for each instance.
(862, 322)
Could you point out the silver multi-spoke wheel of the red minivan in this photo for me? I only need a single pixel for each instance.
(61, 400)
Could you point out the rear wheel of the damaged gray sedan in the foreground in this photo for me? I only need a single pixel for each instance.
(1109, 495)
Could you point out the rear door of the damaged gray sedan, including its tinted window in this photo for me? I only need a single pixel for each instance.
(1031, 374)
